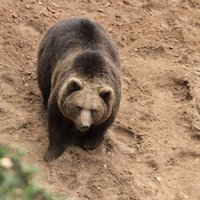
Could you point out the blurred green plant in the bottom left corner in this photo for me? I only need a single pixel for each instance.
(16, 179)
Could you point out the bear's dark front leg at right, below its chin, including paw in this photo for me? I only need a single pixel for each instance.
(92, 139)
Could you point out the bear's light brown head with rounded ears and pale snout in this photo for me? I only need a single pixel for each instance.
(85, 105)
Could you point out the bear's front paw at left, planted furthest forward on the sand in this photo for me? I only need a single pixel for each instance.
(53, 153)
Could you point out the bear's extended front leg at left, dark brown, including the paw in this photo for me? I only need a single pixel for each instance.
(56, 134)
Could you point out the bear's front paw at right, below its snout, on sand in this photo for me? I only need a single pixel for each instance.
(89, 143)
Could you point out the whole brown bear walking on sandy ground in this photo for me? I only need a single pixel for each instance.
(79, 76)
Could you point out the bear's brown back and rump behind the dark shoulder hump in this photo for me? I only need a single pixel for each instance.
(78, 33)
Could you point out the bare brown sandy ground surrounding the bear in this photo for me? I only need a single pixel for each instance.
(152, 152)
